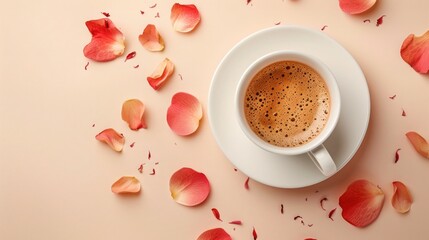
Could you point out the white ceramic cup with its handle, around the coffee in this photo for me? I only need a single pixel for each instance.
(314, 148)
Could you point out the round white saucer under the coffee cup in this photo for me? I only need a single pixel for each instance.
(272, 169)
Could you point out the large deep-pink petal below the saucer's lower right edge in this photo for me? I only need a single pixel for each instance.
(361, 203)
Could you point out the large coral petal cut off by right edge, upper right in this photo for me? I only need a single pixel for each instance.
(415, 52)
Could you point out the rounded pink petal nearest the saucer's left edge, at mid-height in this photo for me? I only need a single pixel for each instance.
(184, 114)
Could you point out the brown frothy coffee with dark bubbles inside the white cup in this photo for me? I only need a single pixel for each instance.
(287, 104)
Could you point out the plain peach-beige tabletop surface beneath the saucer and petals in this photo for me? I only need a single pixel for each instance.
(55, 177)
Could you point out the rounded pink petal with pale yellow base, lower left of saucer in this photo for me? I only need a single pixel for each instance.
(189, 187)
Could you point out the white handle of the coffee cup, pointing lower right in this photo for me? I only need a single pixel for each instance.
(323, 160)
